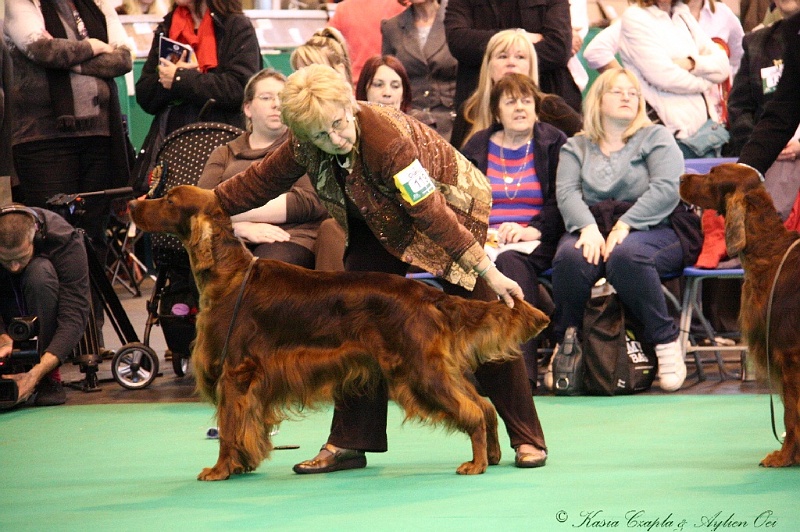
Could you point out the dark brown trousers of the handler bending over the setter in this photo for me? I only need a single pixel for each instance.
(359, 422)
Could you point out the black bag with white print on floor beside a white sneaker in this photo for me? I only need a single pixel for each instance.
(615, 363)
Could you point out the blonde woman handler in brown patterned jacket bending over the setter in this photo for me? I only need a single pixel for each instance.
(383, 176)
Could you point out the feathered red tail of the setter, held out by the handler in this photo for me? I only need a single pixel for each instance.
(496, 333)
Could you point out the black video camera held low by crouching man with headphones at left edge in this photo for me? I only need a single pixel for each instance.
(24, 332)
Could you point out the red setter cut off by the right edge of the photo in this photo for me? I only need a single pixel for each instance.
(754, 232)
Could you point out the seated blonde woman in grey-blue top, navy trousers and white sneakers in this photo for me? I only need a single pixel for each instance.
(622, 161)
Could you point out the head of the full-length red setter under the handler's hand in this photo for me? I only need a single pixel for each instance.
(192, 214)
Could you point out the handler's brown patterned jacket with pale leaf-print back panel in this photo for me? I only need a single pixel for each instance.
(442, 234)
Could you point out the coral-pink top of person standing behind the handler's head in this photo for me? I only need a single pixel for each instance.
(360, 23)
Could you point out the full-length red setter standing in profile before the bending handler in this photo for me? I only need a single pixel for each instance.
(301, 337)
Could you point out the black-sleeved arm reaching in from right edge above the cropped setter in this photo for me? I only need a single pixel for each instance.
(782, 113)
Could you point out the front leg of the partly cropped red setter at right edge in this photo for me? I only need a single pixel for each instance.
(789, 453)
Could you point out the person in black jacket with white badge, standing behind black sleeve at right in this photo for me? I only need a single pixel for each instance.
(753, 87)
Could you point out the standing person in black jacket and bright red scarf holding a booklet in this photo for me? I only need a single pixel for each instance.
(225, 55)
